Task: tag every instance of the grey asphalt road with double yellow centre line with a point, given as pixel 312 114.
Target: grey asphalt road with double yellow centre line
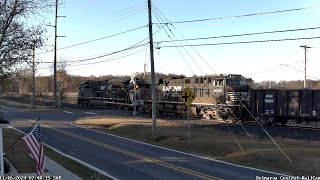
pixel 123 158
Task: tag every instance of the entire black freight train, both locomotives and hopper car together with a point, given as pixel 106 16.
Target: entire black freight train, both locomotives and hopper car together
pixel 222 96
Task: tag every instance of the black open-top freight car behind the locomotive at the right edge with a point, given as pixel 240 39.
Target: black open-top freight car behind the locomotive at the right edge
pixel 278 106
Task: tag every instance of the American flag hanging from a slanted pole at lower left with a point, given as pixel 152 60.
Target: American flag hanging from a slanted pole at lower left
pixel 34 143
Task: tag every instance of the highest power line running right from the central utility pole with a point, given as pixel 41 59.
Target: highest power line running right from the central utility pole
pixel 244 15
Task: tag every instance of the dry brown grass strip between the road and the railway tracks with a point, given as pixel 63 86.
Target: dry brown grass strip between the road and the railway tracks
pixel 217 144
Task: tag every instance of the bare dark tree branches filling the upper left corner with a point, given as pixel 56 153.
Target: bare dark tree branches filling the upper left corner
pixel 17 39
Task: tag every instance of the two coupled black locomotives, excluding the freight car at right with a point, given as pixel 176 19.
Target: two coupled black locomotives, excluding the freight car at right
pixel 215 95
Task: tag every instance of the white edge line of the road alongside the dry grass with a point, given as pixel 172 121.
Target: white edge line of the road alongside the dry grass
pixel 207 158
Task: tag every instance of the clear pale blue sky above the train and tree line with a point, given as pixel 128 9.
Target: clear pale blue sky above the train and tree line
pixel 88 20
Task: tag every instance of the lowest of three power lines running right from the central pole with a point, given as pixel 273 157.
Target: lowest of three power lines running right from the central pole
pixel 245 42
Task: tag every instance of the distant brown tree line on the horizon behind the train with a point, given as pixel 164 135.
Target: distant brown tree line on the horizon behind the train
pixel 20 82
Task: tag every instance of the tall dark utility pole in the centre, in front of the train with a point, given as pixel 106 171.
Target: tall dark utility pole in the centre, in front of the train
pixel 153 83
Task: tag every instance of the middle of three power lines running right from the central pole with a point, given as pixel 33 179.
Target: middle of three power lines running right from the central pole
pixel 245 34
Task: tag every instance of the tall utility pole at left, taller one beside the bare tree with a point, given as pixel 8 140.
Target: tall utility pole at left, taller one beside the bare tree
pixel 55 57
